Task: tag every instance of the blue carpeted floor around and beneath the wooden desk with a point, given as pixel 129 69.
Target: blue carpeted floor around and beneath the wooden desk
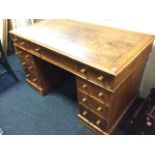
pixel 23 111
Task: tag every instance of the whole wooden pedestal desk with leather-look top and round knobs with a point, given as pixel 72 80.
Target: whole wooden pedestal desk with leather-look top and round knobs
pixel 108 64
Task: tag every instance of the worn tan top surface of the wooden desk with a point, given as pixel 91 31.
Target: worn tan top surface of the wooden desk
pixel 105 48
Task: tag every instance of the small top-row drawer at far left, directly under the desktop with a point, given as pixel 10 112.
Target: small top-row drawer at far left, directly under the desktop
pixel 20 43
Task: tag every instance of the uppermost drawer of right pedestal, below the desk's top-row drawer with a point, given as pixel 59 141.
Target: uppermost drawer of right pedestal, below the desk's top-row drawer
pixel 93 90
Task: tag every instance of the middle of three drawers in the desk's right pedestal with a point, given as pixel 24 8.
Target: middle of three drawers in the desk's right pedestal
pixel 93 104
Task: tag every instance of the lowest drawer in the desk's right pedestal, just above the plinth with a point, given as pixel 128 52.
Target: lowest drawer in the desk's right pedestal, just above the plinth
pixel 93 118
